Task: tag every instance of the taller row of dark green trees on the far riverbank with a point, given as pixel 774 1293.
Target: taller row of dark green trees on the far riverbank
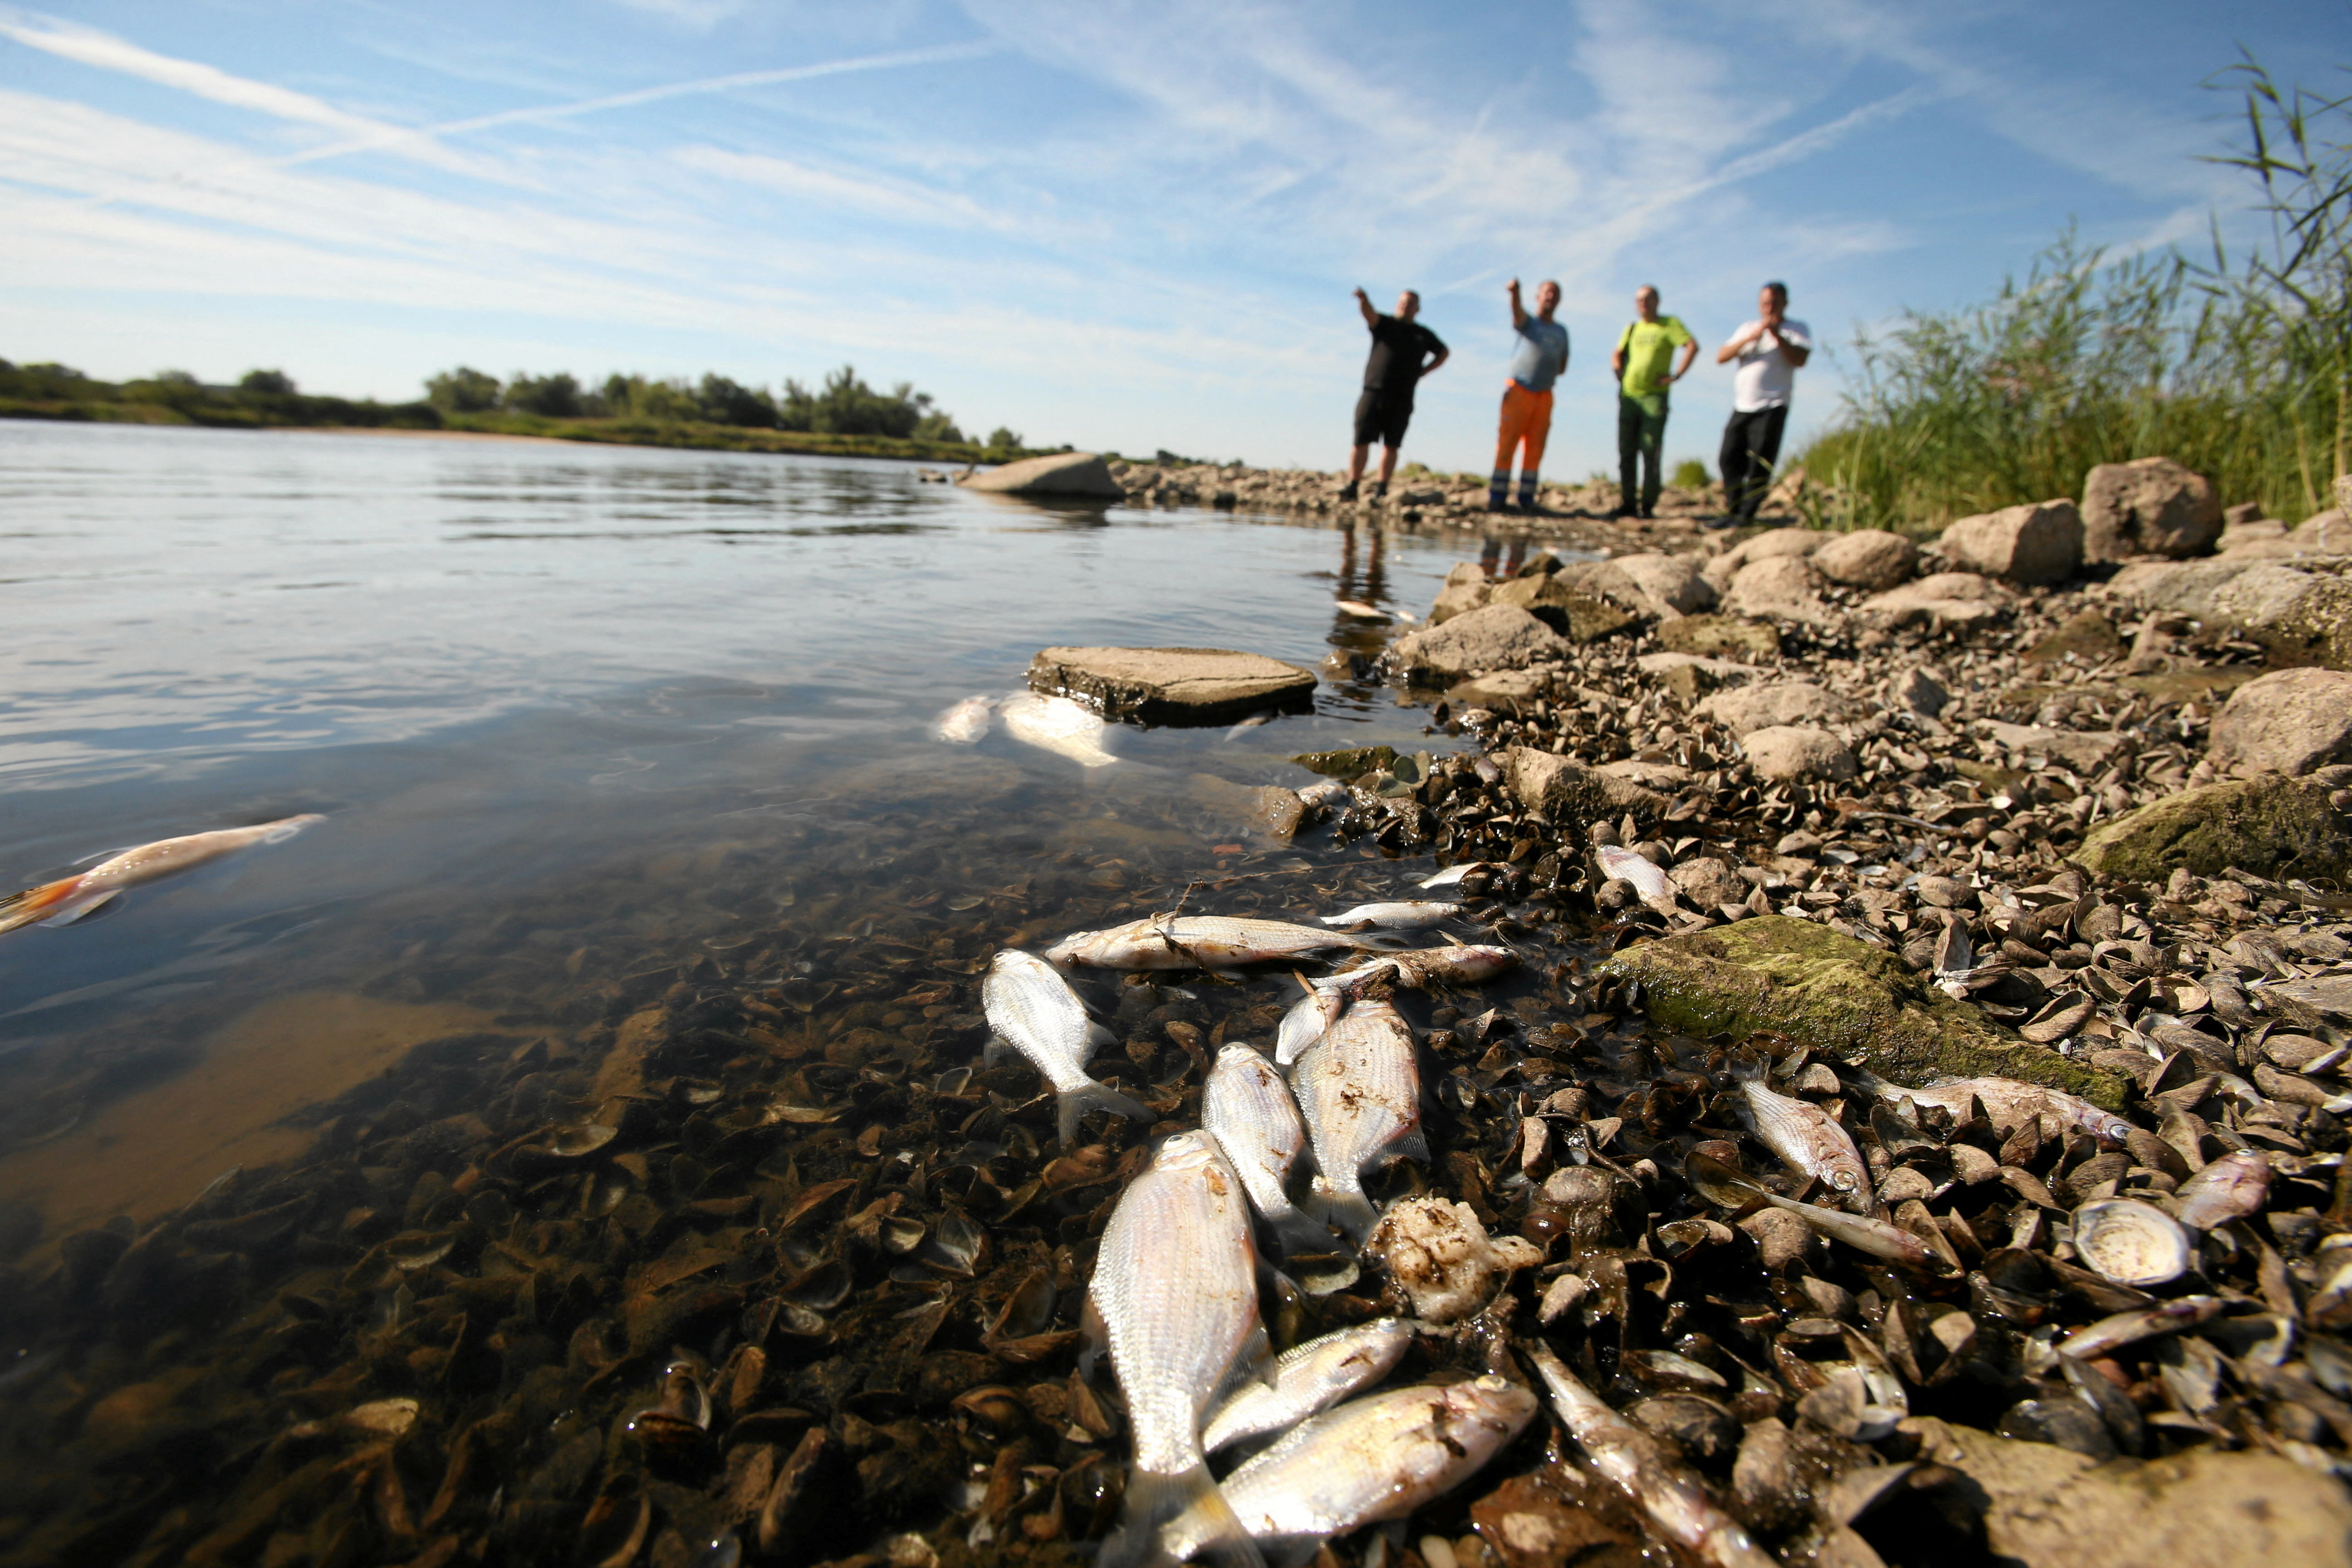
pixel 841 406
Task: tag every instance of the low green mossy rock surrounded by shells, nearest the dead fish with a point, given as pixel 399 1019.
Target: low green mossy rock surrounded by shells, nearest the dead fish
pixel 1843 998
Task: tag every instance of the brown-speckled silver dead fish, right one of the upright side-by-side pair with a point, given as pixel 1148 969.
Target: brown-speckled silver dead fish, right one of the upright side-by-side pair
pixel 1361 1092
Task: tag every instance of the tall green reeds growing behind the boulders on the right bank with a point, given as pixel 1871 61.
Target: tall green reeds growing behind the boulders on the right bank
pixel 2233 366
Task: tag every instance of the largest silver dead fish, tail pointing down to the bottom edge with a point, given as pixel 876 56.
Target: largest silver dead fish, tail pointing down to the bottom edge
pixel 1175 1296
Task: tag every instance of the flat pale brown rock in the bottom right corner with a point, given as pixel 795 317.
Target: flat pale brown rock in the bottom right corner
pixel 2203 1508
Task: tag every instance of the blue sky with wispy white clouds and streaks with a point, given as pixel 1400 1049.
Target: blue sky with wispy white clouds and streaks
pixel 1107 225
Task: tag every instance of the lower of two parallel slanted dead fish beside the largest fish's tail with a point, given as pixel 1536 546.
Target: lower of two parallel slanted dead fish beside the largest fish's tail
pixel 1368 1461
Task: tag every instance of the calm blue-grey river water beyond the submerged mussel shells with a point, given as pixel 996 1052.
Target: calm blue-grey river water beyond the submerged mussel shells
pixel 566 711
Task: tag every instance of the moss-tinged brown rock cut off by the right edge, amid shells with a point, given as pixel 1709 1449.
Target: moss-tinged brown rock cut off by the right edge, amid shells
pixel 2266 826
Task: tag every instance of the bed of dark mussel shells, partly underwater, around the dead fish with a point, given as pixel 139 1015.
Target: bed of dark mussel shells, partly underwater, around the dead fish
pixel 749 1257
